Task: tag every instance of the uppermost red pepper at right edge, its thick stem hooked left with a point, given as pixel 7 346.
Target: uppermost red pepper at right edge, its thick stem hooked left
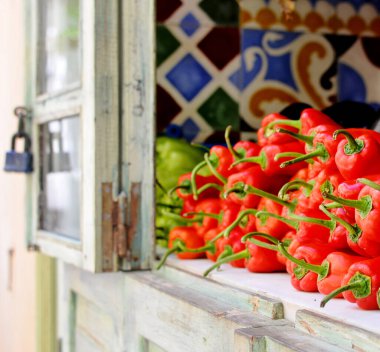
pixel 355 155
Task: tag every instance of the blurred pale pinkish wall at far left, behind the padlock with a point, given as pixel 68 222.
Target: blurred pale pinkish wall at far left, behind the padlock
pixel 17 266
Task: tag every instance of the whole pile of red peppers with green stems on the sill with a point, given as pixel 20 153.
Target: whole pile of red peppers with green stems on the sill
pixel 304 199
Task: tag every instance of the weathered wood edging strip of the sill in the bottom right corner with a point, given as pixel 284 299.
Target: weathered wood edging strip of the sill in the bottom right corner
pixel 337 333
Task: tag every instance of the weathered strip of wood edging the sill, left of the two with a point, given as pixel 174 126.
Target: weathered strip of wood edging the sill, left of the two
pixel 241 299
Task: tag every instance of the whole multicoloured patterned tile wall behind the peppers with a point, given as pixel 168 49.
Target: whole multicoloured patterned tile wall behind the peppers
pixel 218 64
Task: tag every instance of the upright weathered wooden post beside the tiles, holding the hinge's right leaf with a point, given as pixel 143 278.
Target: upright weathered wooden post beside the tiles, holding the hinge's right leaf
pixel 138 126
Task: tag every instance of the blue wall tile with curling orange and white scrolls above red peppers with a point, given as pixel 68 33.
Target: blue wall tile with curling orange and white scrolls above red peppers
pixel 280 68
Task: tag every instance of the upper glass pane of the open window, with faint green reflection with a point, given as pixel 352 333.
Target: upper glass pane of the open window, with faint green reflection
pixel 59 45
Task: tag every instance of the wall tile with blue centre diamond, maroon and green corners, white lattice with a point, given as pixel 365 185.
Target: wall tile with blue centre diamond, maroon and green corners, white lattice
pixel 194 80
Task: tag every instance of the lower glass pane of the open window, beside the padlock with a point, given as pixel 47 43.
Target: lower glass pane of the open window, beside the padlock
pixel 60 170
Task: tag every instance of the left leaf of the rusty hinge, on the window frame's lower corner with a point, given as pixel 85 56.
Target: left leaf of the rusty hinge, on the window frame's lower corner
pixel 114 228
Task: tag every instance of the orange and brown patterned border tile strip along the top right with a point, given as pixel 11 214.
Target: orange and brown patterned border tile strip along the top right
pixel 359 17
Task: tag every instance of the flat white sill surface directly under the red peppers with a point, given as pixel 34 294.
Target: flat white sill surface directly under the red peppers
pixel 276 286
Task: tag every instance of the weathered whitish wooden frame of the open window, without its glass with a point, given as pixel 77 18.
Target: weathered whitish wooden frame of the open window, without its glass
pixel 96 101
